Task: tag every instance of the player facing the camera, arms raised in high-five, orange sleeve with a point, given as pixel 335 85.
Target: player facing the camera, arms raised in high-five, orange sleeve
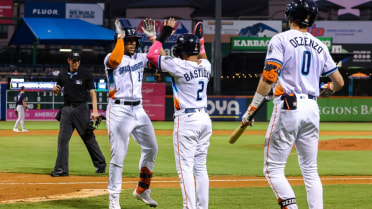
pixel 125 115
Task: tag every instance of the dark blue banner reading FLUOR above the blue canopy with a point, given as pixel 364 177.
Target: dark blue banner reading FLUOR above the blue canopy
pixel 45 9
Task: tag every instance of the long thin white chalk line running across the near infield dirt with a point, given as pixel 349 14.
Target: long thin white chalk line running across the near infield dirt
pixel 176 181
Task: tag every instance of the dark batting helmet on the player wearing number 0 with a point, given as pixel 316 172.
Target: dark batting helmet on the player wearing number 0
pixel 302 11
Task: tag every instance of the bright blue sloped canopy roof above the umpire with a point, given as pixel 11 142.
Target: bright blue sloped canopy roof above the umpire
pixel 36 31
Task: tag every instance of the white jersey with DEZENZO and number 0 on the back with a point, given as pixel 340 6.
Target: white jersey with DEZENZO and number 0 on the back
pixel 303 58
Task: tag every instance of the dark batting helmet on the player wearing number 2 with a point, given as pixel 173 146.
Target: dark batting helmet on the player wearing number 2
pixel 187 44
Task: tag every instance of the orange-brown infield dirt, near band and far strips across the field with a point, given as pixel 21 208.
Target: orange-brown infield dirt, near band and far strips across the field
pixel 35 187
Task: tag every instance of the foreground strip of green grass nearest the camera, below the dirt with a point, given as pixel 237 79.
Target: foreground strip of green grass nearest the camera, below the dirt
pixel 335 197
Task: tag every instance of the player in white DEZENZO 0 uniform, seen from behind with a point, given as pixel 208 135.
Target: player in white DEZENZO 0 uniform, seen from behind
pixel 294 62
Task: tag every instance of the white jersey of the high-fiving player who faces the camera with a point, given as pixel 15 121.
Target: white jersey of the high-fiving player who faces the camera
pixel 125 81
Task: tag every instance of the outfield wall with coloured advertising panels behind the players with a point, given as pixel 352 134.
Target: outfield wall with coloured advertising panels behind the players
pixel 43 105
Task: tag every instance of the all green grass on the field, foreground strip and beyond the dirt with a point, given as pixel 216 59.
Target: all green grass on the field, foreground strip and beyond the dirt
pixel 37 154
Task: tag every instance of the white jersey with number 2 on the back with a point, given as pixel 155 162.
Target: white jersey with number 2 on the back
pixel 189 81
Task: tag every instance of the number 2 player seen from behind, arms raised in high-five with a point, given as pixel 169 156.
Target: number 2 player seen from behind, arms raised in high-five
pixel 190 73
